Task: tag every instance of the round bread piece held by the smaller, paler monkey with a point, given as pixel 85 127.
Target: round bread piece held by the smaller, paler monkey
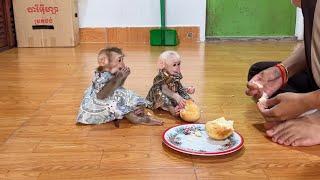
pixel 191 112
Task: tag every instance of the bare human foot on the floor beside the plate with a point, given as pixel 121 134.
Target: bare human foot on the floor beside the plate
pixel 303 131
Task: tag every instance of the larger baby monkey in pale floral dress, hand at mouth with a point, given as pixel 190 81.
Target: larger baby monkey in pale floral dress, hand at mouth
pixel 106 99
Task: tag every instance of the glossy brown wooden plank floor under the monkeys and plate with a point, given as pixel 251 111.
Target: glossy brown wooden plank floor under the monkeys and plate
pixel 40 92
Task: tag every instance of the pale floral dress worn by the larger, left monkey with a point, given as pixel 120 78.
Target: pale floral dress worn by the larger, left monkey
pixel 116 106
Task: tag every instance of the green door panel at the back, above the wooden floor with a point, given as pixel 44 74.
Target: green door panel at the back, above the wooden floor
pixel 246 18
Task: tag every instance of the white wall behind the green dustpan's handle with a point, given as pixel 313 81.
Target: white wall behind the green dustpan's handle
pixel 142 13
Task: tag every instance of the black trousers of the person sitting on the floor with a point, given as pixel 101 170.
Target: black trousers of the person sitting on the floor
pixel 302 82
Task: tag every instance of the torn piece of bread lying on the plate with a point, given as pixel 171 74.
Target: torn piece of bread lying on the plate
pixel 219 129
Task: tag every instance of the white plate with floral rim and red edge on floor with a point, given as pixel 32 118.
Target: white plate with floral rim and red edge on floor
pixel 193 139
